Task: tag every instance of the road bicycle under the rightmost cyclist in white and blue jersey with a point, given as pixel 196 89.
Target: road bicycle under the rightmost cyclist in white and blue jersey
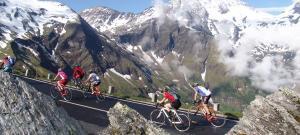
pixel 198 111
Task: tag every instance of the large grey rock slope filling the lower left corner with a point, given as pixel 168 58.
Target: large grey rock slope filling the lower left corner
pixel 24 110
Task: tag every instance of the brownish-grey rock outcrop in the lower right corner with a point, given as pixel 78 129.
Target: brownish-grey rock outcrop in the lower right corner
pixel 278 113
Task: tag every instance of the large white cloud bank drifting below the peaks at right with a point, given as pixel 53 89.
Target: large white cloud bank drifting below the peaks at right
pixel 275 68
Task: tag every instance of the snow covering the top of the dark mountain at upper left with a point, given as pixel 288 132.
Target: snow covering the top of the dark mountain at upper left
pixel 23 16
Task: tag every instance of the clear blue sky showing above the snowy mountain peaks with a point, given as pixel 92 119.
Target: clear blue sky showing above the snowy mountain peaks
pixel 272 6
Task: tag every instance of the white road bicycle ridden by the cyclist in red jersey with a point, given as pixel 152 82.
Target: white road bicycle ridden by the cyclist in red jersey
pixel 180 121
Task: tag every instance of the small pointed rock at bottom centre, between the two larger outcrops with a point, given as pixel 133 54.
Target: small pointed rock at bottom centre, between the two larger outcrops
pixel 124 120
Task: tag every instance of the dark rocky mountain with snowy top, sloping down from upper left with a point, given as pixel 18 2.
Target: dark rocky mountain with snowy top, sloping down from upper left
pixel 45 35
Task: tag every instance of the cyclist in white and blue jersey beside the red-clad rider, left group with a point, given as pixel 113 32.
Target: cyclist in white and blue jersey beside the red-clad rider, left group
pixel 94 81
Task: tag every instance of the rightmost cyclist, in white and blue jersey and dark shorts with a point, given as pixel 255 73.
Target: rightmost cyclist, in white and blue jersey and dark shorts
pixel 205 94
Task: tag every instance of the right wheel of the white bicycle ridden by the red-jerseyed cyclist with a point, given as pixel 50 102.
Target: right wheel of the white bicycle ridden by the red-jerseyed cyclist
pixel 181 122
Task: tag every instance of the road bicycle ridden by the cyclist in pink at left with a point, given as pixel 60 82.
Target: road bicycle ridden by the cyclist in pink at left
pixel 66 94
